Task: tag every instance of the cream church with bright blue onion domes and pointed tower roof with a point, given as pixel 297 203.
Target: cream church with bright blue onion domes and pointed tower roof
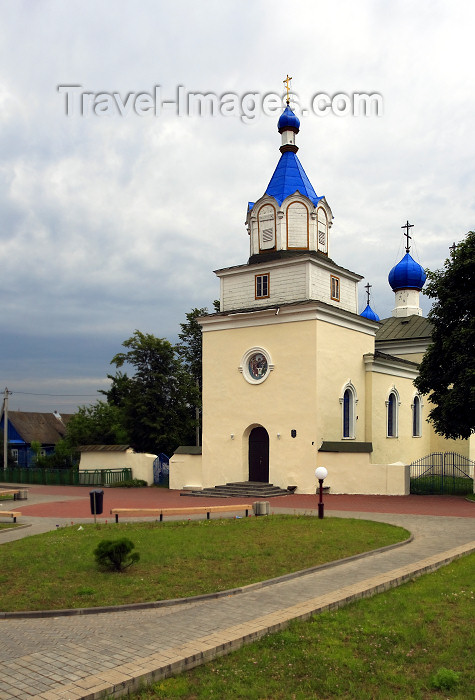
pixel 294 377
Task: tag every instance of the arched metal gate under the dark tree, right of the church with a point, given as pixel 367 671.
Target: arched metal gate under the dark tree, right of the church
pixel 442 473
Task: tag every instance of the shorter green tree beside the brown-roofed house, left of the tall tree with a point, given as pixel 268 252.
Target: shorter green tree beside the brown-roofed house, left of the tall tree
pixel 100 424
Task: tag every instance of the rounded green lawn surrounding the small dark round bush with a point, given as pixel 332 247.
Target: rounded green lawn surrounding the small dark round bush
pixel 177 559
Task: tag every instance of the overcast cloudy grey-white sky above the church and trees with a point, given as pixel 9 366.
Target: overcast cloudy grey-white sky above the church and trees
pixel 111 223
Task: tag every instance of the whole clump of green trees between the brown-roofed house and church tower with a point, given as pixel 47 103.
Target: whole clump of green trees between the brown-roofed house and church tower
pixel 156 405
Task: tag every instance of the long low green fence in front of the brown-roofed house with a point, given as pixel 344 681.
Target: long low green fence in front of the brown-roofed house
pixel 65 477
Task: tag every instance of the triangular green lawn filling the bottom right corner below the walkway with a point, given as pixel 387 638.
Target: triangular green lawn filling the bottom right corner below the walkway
pixel 413 642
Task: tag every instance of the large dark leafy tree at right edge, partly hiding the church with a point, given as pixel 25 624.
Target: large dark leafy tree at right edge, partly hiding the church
pixel 447 371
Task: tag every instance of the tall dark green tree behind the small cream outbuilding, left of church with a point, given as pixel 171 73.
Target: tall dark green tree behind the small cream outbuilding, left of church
pixel 157 401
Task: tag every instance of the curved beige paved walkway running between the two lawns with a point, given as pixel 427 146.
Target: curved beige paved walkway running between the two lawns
pixel 88 656
